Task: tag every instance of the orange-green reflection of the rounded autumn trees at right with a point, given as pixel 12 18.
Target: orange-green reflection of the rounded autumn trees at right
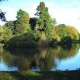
pixel 67 53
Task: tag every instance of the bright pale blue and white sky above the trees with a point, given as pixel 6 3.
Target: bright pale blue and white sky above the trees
pixel 64 11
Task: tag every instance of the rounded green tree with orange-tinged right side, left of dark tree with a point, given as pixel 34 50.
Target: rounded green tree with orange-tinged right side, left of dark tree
pixel 22 22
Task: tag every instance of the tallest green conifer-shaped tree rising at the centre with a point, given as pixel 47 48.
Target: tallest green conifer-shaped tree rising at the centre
pixel 44 23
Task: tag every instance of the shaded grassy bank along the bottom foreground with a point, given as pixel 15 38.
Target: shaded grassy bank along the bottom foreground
pixel 50 75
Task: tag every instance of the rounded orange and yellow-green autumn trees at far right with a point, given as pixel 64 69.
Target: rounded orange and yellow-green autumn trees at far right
pixel 64 31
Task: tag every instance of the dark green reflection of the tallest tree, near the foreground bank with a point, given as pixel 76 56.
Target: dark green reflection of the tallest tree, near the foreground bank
pixel 47 63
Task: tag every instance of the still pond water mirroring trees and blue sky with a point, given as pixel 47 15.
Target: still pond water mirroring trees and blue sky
pixel 40 59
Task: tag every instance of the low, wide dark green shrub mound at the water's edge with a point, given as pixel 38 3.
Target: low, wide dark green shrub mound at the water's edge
pixel 27 40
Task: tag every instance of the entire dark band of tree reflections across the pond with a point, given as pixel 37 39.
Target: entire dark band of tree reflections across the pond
pixel 44 59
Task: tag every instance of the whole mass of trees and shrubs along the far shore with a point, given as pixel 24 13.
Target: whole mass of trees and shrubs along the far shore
pixel 40 31
